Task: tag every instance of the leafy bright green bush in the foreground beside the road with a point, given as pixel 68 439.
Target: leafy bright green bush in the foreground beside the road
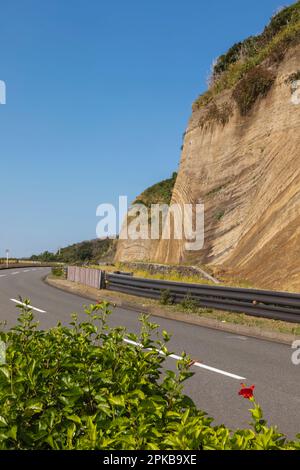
pixel 84 387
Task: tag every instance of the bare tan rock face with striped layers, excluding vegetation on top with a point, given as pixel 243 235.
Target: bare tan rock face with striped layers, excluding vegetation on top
pixel 247 172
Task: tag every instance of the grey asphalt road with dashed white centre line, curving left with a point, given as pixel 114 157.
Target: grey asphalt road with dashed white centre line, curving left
pixel 227 359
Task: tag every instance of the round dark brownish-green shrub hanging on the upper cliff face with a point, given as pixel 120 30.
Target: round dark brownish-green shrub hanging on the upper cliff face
pixel 256 83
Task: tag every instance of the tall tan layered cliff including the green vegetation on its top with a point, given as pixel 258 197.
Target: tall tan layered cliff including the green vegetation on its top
pixel 241 158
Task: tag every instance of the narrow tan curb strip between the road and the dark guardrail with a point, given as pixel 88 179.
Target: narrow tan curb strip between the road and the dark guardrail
pixel 241 330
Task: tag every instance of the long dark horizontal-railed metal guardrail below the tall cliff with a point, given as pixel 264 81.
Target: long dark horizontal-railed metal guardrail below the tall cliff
pixel 258 303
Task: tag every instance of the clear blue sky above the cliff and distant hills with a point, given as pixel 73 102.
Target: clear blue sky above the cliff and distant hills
pixel 98 96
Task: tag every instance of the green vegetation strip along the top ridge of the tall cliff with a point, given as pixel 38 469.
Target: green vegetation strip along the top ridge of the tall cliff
pixel 268 48
